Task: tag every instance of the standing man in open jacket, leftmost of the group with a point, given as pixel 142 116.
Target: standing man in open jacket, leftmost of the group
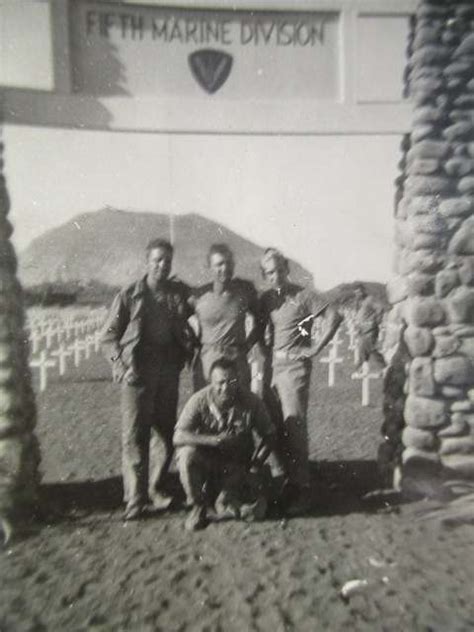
pixel 146 338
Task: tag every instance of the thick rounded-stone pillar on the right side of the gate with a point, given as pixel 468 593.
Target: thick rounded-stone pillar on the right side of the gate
pixel 432 294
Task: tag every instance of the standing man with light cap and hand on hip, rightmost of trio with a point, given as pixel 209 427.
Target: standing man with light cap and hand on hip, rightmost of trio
pixel 287 312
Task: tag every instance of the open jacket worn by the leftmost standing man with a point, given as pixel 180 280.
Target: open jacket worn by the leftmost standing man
pixel 123 329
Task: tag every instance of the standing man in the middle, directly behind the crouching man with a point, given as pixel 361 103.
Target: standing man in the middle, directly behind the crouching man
pixel 224 308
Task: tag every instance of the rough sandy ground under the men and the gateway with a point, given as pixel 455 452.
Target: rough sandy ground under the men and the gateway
pixel 83 568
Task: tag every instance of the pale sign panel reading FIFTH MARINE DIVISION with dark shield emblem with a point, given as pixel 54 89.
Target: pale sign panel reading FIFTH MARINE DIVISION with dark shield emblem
pixel 151 51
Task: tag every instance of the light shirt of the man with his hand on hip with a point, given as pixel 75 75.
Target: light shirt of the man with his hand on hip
pixel 290 316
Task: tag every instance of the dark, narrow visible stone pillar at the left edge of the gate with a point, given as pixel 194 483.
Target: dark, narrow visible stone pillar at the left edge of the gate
pixel 19 450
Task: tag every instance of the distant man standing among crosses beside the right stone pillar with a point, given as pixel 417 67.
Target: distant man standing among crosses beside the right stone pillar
pixel 367 324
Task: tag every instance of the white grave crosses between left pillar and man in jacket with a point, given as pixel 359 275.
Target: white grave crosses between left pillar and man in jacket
pixel 50 326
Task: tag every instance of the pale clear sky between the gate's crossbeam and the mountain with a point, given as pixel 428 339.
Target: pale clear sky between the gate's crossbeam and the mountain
pixel 326 201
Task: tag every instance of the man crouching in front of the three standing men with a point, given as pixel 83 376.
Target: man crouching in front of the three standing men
pixel 215 441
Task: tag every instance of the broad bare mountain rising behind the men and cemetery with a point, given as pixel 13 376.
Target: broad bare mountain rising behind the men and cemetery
pixel 108 246
